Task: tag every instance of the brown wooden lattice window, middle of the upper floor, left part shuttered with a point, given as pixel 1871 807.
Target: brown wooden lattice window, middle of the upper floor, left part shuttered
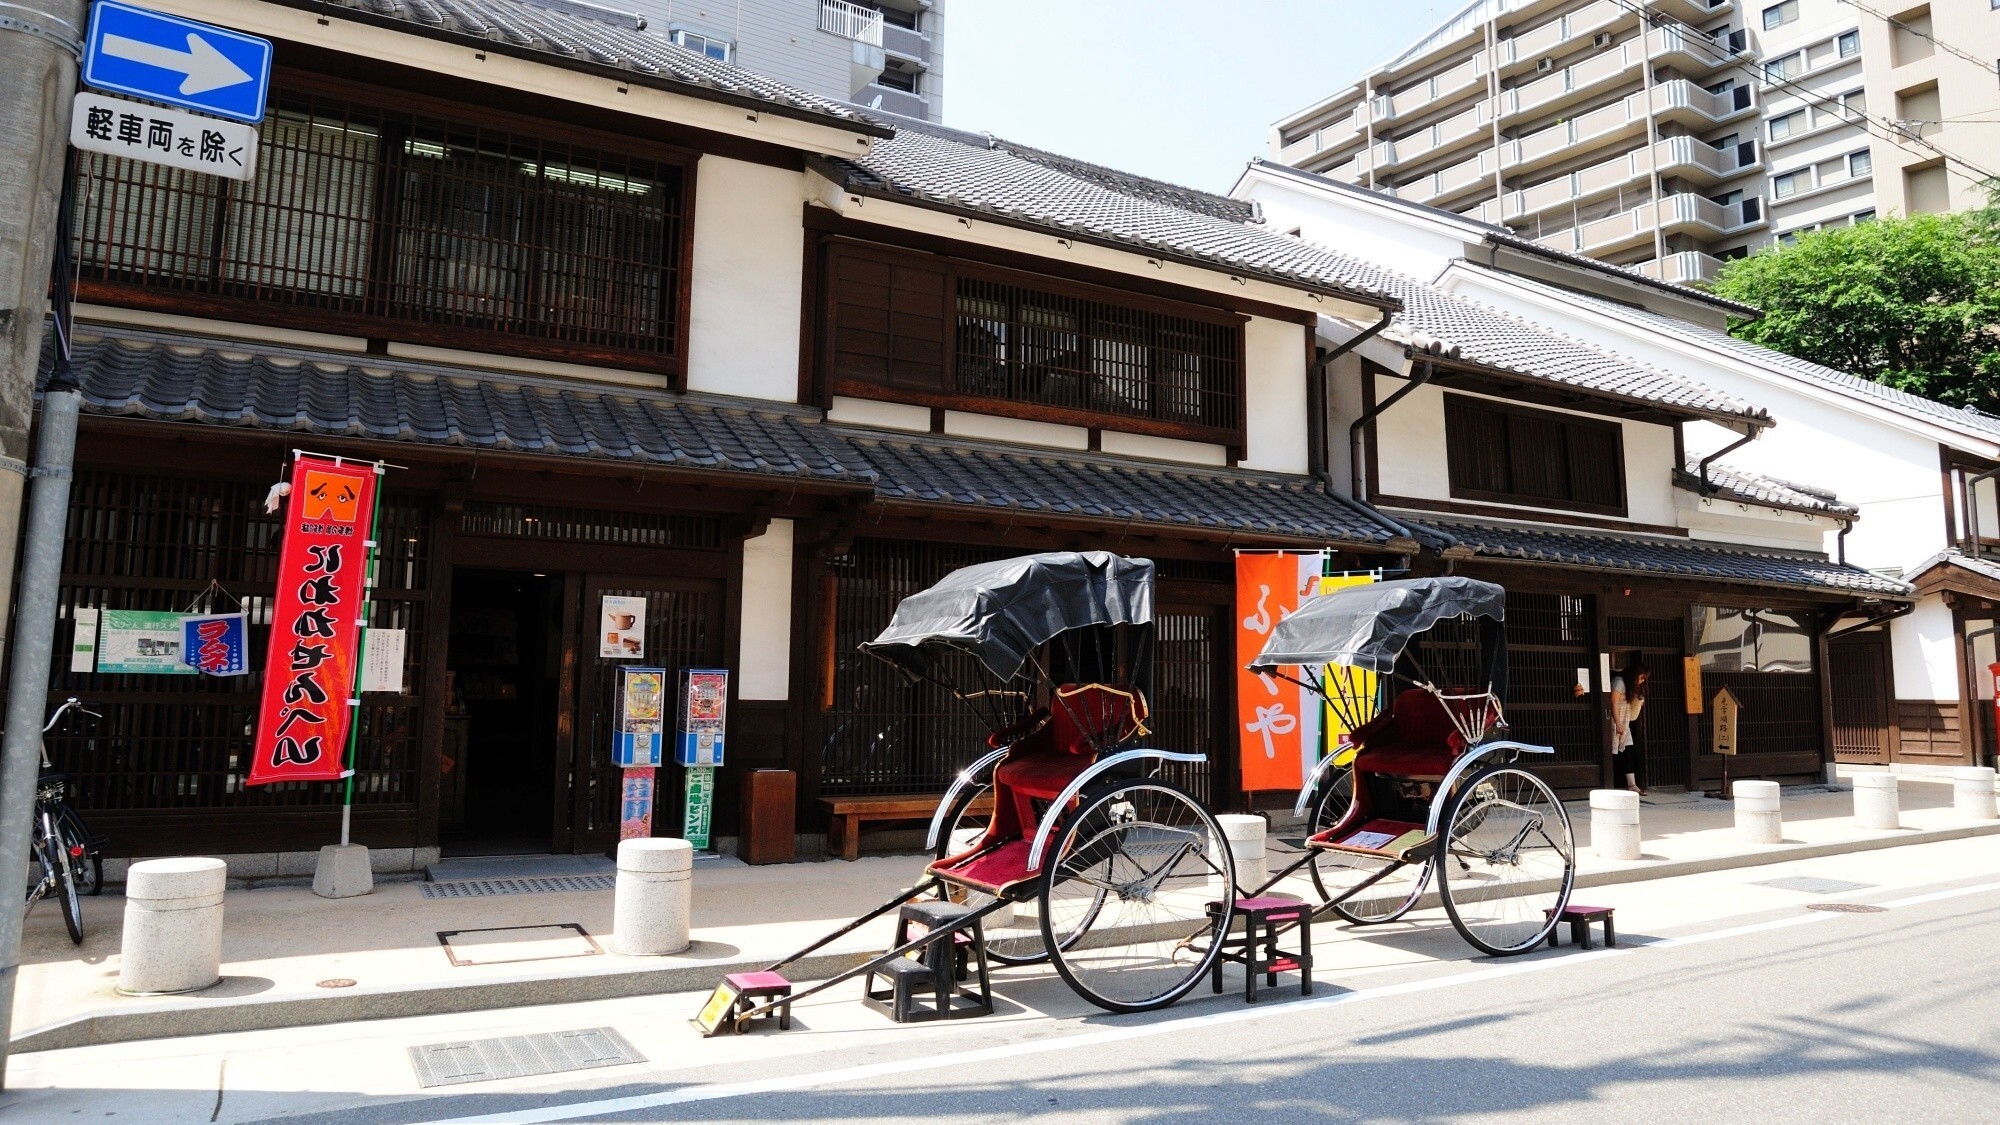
pixel 945 333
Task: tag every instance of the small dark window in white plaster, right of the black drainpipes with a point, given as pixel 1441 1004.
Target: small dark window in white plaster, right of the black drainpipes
pixel 1515 455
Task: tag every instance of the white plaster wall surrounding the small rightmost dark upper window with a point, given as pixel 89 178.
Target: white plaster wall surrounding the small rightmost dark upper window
pixel 1411 455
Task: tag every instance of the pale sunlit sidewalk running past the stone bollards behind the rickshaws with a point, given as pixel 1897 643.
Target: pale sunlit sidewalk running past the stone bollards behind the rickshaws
pixel 297 960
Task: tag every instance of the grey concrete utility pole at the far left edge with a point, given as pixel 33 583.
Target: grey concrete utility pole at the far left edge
pixel 39 49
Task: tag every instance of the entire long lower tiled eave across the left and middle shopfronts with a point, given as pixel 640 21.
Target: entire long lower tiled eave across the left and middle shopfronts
pixel 221 383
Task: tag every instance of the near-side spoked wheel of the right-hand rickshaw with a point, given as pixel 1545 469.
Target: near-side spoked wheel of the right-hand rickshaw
pixel 1507 860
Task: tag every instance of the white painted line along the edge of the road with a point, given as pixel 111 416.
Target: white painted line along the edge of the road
pixel 1063 1044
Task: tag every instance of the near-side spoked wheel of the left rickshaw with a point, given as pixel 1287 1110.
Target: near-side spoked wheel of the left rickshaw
pixel 1127 890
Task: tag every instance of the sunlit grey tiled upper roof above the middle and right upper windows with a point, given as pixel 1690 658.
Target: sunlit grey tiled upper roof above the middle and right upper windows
pixel 1027 185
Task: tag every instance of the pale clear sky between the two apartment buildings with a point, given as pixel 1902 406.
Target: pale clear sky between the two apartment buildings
pixel 1181 91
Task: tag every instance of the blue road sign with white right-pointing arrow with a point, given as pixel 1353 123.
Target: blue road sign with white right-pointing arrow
pixel 181 63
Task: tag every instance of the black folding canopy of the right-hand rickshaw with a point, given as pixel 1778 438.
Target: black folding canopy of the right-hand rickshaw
pixel 1371 626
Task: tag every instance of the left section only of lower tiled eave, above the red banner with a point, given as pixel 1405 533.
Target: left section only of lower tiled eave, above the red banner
pixel 385 399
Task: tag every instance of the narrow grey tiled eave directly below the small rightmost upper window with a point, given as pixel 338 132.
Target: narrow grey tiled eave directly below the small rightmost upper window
pixel 1665 555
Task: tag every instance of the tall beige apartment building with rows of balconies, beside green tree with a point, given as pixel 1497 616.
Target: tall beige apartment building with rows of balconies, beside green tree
pixel 1671 135
